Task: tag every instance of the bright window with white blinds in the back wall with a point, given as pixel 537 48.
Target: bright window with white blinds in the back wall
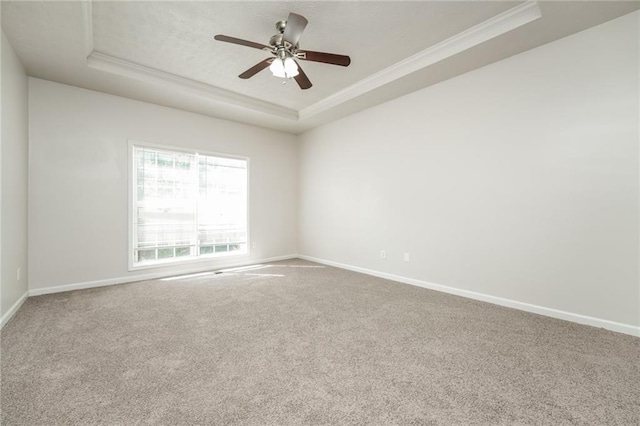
pixel 186 205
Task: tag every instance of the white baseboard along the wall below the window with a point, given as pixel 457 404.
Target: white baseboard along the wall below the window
pixel 151 276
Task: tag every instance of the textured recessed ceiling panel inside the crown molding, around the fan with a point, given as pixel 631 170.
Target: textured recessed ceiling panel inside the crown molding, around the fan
pixel 177 37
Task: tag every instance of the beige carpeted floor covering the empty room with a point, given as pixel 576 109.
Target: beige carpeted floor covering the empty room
pixel 295 342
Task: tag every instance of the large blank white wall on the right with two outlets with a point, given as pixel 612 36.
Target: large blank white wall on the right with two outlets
pixel 518 180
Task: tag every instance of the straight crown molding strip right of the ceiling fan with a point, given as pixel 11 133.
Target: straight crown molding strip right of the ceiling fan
pixel 491 28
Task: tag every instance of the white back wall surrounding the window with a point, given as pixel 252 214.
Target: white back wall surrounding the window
pixel 78 181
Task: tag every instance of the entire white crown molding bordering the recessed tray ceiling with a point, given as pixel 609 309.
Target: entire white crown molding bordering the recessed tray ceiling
pixel 493 27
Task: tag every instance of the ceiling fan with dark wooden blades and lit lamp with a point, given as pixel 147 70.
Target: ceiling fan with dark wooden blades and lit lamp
pixel 284 46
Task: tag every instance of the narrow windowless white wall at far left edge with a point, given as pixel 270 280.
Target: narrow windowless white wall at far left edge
pixel 14 163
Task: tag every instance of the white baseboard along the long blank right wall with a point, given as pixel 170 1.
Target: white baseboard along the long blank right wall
pixel 541 310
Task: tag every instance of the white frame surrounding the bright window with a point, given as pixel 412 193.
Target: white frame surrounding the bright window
pixel 131 202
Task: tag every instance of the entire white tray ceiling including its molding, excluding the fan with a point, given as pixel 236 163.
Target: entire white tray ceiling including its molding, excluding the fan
pixel 163 52
